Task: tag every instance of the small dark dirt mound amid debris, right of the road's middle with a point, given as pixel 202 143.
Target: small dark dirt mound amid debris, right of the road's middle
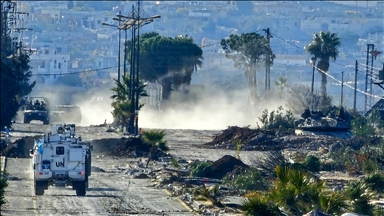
pixel 225 165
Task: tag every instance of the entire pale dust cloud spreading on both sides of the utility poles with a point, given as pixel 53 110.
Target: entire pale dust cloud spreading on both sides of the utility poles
pixel 214 110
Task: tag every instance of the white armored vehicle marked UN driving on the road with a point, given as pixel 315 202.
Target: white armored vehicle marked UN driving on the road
pixel 61 159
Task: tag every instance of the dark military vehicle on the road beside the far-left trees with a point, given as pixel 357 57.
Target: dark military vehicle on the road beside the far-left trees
pixel 36 108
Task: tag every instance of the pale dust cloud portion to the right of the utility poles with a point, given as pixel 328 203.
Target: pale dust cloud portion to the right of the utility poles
pixel 216 111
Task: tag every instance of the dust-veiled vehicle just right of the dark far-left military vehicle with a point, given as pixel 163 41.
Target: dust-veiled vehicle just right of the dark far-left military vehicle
pixel 66 113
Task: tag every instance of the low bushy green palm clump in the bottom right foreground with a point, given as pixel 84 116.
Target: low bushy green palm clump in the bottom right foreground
pixel 296 192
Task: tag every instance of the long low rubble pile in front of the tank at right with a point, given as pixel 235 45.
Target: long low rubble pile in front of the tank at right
pixel 266 140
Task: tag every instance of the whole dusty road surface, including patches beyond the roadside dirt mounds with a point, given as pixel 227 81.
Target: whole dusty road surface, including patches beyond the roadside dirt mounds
pixel 112 191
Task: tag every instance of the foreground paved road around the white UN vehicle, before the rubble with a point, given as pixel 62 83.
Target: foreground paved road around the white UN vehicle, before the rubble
pixel 110 193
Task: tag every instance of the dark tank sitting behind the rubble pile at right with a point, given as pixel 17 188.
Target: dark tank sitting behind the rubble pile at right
pixel 316 121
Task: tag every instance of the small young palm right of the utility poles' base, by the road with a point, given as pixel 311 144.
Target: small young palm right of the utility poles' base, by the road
pixel 156 140
